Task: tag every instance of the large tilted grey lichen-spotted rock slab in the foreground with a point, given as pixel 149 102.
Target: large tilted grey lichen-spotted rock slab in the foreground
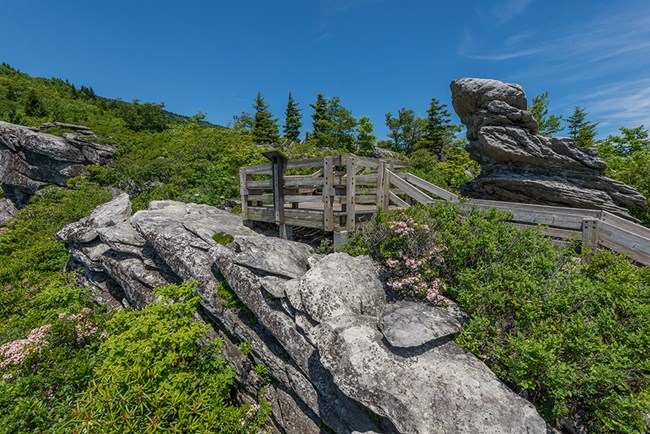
pixel 341 358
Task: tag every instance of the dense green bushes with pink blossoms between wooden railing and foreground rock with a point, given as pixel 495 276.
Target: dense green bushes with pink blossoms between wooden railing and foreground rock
pixel 571 337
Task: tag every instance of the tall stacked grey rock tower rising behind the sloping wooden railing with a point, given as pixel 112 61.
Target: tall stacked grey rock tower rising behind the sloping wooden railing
pixel 518 165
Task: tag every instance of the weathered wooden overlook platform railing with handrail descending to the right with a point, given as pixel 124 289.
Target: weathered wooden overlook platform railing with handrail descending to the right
pixel 339 193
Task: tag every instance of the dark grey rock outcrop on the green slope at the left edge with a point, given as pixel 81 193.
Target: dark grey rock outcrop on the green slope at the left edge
pixel 30 160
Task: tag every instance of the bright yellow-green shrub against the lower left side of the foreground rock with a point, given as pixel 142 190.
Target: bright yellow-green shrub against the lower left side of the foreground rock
pixel 159 374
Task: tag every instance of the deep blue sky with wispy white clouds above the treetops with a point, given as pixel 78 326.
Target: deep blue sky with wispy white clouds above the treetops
pixel 376 55
